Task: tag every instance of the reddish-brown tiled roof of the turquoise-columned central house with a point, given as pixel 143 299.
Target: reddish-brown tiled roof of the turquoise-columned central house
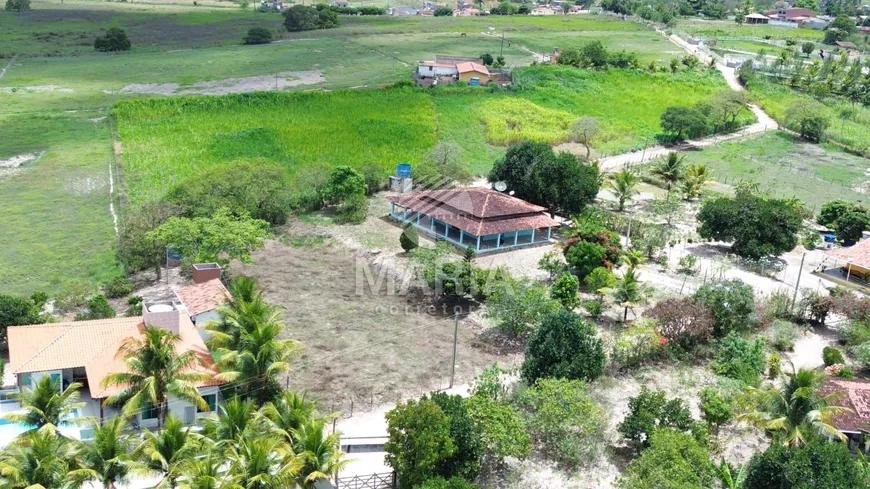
pixel 479 211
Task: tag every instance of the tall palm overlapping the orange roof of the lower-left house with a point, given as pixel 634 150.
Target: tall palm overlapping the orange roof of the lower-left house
pixel 155 369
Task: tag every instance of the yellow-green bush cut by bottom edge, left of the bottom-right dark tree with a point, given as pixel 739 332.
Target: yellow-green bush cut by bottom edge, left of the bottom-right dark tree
pixel 673 460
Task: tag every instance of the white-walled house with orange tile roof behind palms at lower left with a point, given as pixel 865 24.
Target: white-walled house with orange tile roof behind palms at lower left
pixel 87 352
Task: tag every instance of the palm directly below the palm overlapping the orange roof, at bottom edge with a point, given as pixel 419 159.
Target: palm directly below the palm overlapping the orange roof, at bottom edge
pixel 169 450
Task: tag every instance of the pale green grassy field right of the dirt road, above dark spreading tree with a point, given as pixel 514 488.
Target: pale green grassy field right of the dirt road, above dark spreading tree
pixel 788 167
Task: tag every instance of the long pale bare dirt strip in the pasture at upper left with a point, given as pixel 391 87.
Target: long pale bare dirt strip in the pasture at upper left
pixel 280 81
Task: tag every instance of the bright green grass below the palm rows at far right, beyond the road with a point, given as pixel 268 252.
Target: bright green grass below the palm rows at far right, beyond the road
pixel 854 132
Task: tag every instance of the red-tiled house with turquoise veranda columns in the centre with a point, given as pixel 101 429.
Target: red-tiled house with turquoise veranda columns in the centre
pixel 481 218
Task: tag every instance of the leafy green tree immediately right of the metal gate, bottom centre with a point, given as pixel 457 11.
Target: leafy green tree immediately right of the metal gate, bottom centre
pixel 418 441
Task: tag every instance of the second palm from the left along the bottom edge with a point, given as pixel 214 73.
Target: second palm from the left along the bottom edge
pixel 109 458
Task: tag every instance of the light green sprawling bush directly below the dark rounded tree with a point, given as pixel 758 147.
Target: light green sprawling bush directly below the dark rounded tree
pixel 563 419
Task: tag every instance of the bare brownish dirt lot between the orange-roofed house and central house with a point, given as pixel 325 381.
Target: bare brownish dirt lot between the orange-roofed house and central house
pixel 361 347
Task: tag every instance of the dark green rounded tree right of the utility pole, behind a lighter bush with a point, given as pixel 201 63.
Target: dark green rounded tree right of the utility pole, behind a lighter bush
pixel 563 346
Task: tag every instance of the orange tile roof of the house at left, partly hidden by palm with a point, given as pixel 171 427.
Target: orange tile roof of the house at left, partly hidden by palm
pixel 92 345
